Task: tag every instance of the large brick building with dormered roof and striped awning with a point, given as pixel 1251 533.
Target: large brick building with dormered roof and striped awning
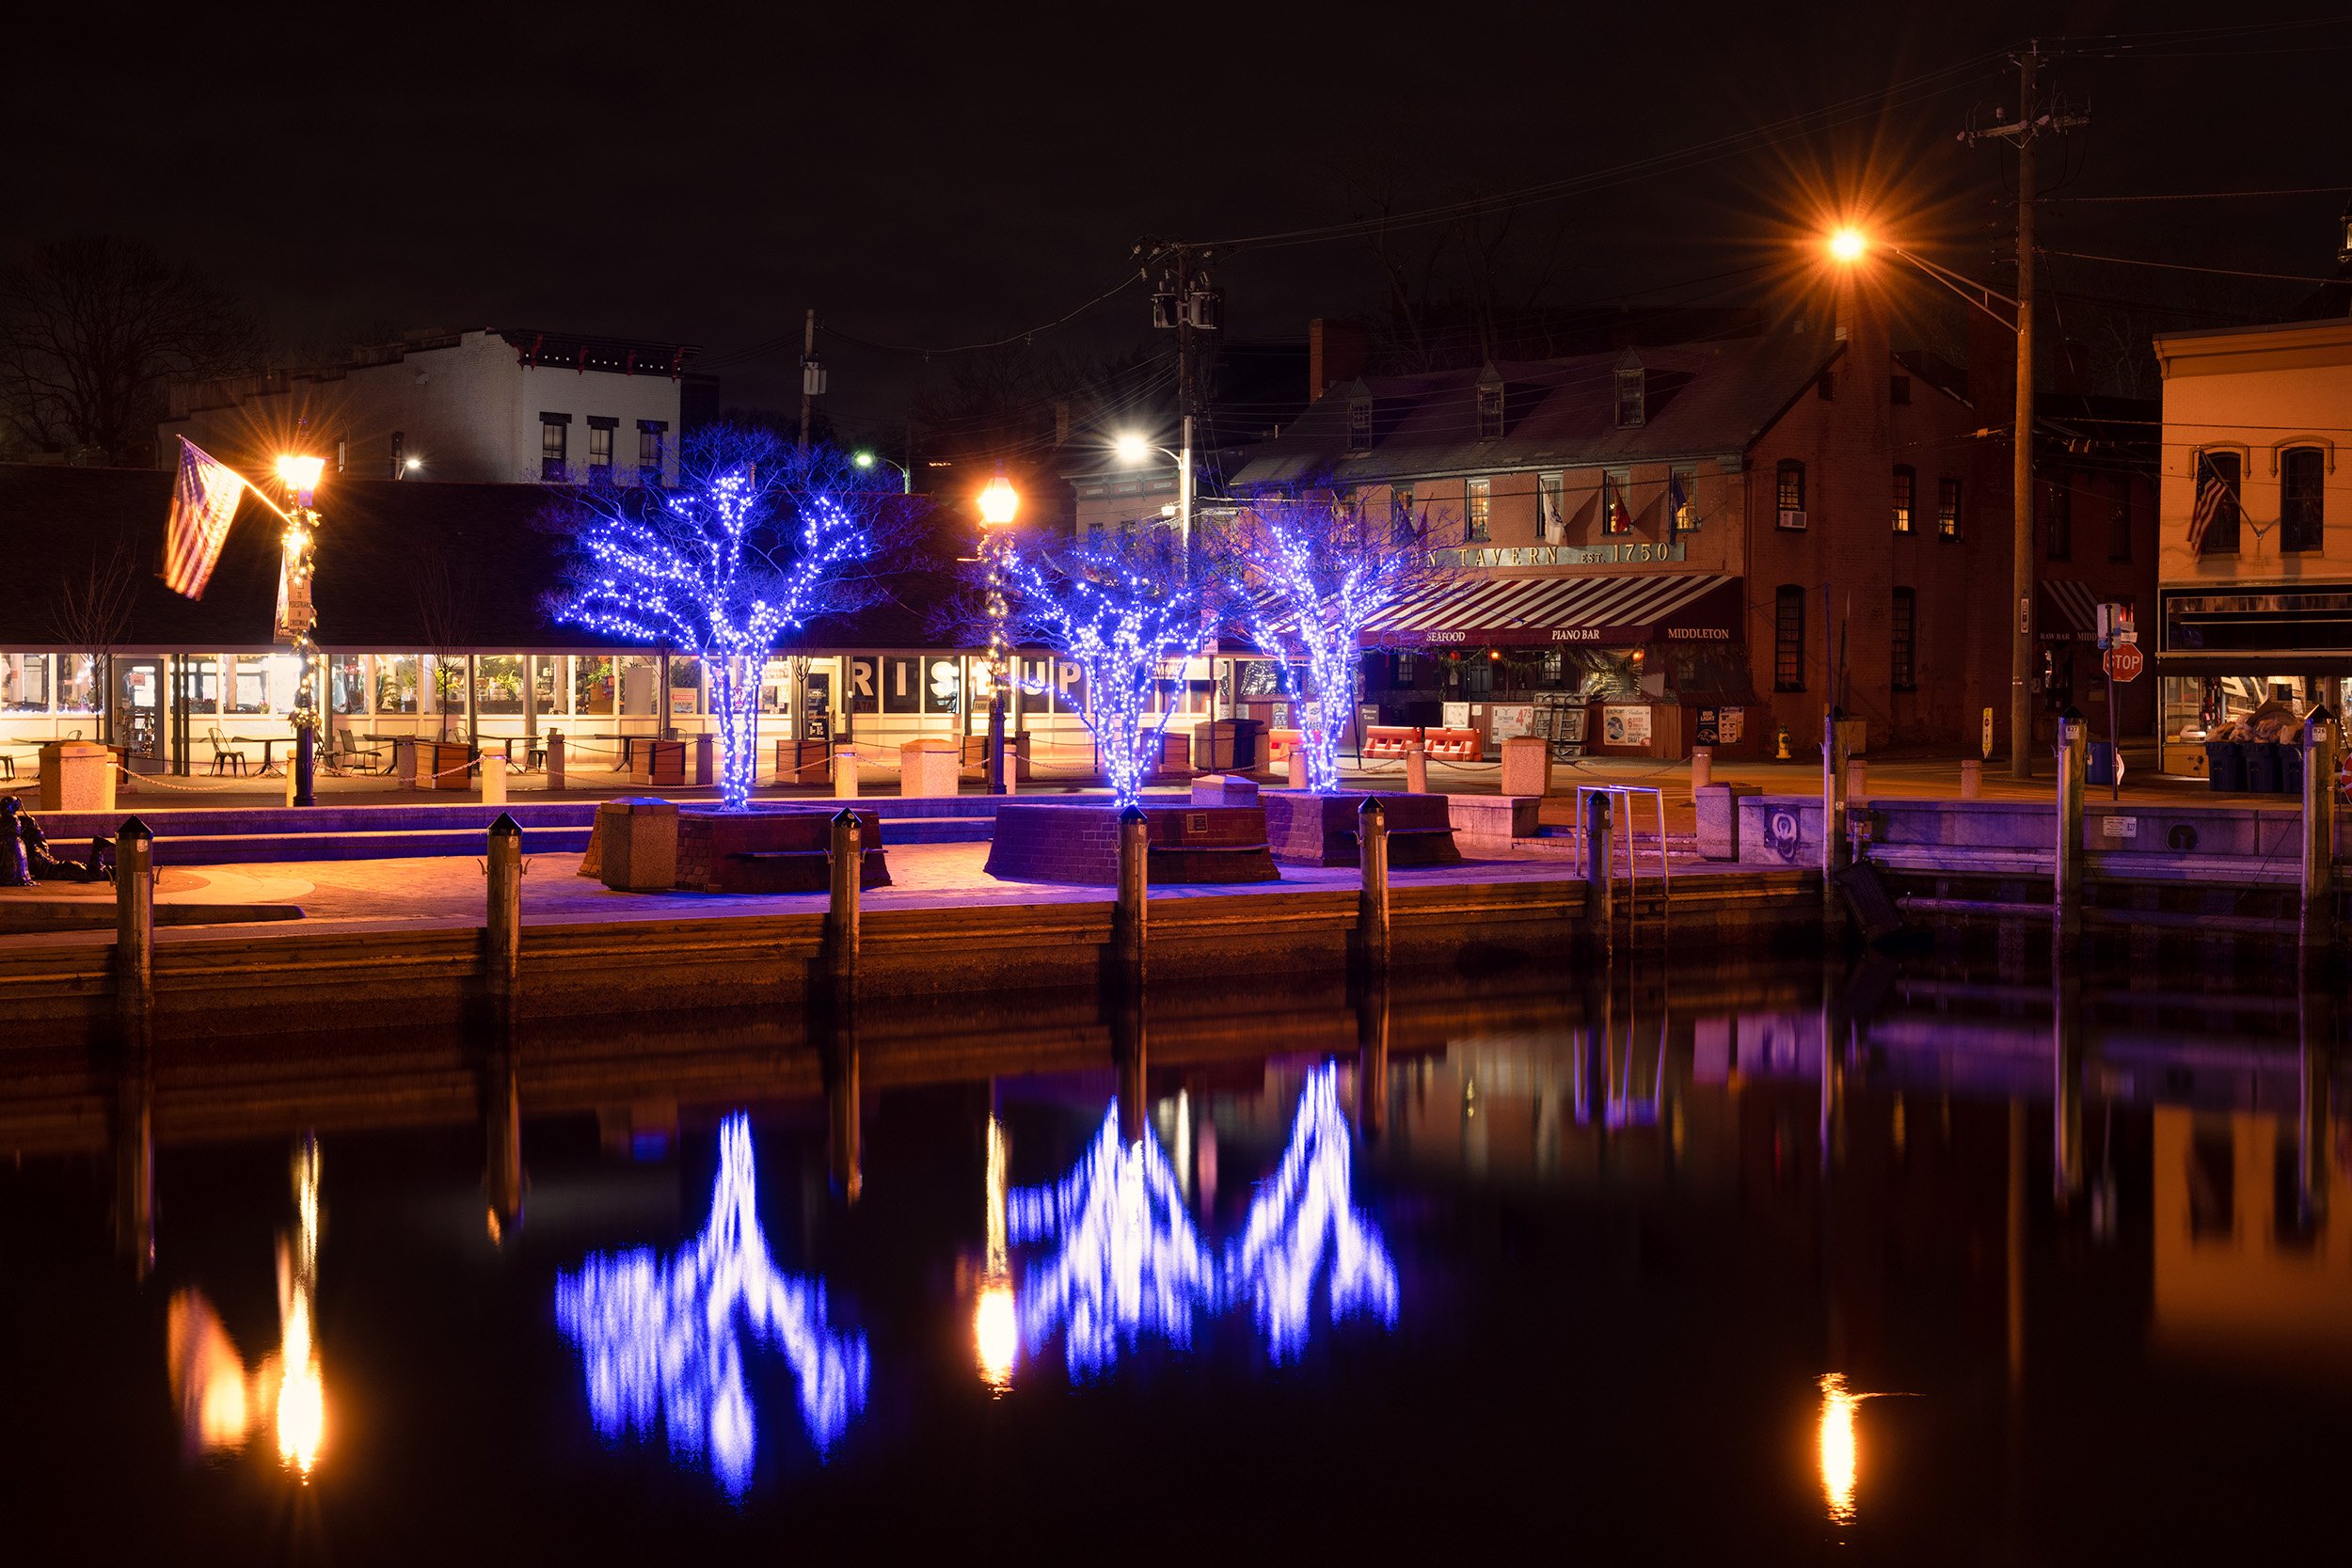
pixel 1706 542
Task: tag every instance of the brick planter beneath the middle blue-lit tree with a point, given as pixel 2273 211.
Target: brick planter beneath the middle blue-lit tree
pixel 1048 843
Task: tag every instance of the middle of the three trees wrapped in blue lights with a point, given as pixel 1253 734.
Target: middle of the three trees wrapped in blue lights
pixel 1130 615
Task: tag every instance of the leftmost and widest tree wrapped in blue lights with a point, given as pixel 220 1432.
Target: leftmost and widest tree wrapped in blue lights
pixel 756 542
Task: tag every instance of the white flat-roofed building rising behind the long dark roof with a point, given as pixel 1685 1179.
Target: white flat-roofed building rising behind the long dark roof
pixel 509 406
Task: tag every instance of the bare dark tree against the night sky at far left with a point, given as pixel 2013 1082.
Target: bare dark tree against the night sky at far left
pixel 91 337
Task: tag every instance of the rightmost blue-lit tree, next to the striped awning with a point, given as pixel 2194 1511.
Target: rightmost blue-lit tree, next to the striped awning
pixel 1311 575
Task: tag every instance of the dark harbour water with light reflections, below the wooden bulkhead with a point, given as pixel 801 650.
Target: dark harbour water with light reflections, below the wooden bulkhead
pixel 2022 1268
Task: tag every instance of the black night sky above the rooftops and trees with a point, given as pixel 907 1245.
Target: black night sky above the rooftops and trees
pixel 935 177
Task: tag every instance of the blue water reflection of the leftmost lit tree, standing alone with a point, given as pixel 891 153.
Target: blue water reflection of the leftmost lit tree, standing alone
pixel 664 1336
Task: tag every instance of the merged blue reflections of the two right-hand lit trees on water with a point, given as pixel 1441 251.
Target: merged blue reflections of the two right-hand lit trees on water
pixel 1132 1266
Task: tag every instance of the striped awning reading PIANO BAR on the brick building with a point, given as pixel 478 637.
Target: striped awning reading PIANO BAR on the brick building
pixel 1617 610
